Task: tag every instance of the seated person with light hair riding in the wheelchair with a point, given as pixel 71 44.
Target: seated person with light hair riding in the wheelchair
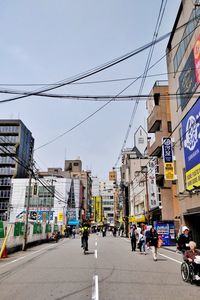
pixel 190 256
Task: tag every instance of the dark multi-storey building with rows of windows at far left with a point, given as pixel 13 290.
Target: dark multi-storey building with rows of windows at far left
pixel 16 142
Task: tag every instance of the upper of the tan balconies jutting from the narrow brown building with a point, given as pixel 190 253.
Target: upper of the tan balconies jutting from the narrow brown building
pixel 154 120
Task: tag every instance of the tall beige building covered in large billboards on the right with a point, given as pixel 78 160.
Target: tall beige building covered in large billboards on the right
pixel 183 61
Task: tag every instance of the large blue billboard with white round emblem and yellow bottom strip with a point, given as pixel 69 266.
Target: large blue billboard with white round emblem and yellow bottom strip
pixel 191 144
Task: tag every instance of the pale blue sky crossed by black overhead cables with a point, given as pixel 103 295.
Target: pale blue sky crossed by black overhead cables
pixel 47 41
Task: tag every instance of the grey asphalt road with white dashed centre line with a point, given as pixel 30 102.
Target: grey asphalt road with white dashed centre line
pixel 110 270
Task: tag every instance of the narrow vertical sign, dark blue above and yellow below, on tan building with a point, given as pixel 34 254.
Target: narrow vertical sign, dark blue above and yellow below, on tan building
pixel 168 158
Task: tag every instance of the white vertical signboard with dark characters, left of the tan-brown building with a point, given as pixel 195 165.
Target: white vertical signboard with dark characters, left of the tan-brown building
pixel 152 188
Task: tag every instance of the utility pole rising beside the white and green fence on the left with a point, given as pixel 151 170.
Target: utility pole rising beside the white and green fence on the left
pixel 27 205
